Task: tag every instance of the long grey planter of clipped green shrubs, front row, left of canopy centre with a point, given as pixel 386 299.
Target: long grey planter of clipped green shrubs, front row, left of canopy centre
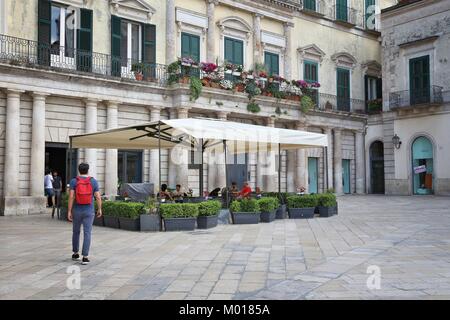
pixel 179 216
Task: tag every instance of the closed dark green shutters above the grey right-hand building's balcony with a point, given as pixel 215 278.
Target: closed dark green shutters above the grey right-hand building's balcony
pixel 419 80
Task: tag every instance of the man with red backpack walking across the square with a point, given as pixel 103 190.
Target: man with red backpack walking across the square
pixel 83 190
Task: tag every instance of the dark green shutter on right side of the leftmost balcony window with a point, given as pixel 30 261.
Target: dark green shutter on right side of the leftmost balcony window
pixel 84 41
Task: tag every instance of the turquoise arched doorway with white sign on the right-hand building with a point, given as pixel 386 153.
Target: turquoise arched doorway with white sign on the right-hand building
pixel 422 162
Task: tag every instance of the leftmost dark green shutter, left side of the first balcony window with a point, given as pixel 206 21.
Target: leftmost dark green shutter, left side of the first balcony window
pixel 44 31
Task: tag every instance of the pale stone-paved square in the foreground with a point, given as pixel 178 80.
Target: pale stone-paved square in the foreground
pixel 408 238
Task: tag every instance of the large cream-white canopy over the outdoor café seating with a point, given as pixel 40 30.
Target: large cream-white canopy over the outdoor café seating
pixel 246 137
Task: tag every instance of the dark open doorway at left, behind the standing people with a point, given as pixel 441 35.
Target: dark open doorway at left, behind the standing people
pixel 57 158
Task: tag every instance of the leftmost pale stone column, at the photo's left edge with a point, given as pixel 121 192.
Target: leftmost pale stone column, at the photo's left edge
pixel 12 145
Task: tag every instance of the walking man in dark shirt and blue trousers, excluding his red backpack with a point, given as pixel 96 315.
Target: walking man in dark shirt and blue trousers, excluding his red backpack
pixel 83 214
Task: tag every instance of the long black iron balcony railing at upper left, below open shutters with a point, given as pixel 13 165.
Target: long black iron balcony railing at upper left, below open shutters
pixel 30 53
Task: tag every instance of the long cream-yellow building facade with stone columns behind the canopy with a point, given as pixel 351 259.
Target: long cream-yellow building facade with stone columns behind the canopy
pixel 67 67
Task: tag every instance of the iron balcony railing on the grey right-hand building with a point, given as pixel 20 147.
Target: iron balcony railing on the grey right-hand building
pixel 427 96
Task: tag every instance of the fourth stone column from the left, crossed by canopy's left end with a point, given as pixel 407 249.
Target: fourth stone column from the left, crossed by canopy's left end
pixel 111 171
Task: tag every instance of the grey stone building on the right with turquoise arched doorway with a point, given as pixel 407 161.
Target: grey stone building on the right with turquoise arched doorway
pixel 416 93
